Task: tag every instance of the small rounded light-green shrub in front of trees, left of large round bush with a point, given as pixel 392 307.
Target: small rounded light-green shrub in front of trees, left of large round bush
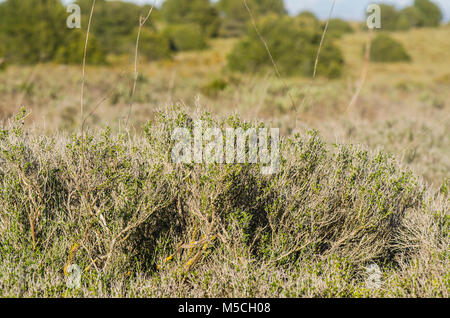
pixel 186 37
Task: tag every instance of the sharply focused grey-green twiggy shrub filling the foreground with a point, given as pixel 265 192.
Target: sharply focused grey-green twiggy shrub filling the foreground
pixel 116 206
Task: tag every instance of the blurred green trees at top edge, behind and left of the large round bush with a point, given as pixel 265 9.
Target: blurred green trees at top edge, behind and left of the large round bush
pixel 236 17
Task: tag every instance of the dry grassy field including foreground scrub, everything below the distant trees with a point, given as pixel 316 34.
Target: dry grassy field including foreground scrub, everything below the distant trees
pixel 370 187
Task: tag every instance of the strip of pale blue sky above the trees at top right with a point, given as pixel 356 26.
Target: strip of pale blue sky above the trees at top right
pixel 347 9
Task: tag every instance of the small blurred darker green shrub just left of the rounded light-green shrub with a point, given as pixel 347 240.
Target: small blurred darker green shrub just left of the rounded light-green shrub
pixel 154 45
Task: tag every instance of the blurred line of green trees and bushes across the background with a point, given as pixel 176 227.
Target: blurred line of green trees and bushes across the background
pixel 33 31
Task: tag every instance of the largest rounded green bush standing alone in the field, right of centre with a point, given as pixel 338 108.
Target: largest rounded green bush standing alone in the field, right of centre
pixel 294 57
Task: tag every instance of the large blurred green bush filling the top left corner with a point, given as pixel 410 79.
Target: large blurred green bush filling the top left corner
pixel 35 31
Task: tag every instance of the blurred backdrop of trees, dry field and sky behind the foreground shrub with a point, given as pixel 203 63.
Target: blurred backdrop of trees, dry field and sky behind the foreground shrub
pixel 387 89
